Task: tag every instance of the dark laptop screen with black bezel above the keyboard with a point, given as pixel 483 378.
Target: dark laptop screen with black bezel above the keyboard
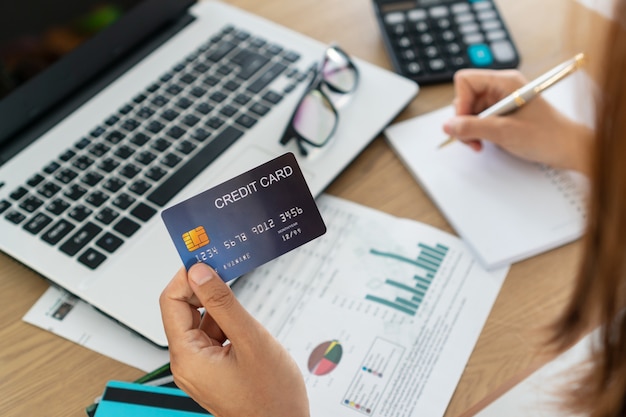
pixel 48 49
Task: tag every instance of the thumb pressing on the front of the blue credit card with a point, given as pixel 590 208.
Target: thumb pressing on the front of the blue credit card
pixel 220 303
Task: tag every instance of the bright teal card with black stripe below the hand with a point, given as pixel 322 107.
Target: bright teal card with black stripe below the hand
pixel 127 399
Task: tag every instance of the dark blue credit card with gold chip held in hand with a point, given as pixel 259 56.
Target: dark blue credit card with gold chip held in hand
pixel 246 221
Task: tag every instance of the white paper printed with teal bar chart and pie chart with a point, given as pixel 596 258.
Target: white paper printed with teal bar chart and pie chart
pixel 381 314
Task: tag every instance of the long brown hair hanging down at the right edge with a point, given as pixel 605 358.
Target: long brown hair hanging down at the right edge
pixel 600 293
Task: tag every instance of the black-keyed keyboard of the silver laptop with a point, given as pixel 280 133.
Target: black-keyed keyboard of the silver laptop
pixel 99 192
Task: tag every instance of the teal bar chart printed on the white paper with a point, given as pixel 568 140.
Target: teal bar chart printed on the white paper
pixel 411 292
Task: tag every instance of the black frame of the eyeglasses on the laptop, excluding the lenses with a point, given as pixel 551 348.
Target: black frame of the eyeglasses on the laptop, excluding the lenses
pixel 316 84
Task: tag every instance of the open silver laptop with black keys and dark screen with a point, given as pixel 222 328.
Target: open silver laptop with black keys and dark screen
pixel 118 111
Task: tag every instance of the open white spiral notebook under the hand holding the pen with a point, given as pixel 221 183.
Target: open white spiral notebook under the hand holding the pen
pixel 506 209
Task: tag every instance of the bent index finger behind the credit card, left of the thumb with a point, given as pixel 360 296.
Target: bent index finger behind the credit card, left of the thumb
pixel 177 313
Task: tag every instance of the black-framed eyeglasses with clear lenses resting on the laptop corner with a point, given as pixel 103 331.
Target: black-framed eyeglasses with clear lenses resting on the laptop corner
pixel 315 119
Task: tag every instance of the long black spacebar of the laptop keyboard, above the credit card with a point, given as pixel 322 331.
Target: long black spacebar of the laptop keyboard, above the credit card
pixel 187 172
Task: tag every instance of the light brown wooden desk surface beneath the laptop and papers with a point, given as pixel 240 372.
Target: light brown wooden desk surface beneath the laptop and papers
pixel 44 375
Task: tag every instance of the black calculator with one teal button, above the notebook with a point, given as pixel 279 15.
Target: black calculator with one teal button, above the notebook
pixel 429 40
